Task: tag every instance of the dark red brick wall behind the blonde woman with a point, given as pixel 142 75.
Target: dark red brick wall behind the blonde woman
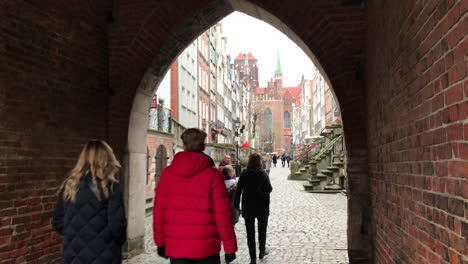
pixel 52 100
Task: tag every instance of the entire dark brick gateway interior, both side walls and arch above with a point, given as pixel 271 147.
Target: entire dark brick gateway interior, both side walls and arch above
pixel 69 72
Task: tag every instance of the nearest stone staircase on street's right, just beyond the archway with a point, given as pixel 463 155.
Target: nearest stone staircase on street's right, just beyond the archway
pixel 325 171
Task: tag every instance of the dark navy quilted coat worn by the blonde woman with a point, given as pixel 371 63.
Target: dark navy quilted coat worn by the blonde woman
pixel 93 231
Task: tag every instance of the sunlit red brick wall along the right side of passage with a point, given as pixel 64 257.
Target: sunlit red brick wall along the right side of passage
pixel 418 131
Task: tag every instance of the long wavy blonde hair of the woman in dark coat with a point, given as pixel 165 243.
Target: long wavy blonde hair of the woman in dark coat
pixel 97 159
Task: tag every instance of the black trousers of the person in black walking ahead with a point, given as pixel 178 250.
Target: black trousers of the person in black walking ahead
pixel 250 227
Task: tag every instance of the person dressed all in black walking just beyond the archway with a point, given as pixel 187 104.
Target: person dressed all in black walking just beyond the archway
pixel 254 186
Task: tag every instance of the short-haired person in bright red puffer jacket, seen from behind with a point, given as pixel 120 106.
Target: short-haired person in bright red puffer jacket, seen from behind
pixel 192 211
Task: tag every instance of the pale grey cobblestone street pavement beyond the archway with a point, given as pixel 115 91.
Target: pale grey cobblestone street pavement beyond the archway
pixel 303 228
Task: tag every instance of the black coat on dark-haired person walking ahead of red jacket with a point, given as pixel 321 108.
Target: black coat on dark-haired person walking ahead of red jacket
pixel 254 186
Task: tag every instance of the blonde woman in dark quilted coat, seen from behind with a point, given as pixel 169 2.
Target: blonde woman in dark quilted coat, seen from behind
pixel 90 212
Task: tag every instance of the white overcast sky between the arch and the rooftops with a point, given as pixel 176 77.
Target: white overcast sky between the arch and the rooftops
pixel 247 34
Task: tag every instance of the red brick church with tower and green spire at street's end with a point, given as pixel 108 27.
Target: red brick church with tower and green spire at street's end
pixel 272 106
